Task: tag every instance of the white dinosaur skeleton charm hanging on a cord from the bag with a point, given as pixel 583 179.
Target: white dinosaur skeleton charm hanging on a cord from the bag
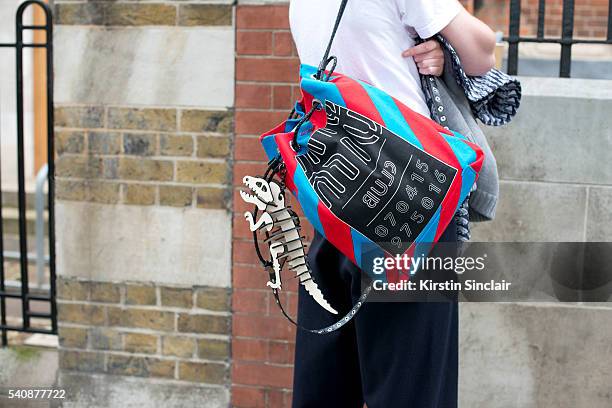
pixel 281 227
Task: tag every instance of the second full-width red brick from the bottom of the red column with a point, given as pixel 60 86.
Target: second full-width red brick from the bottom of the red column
pixel 270 327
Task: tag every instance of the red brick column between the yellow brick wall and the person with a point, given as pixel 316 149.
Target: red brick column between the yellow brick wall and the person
pixel 262 342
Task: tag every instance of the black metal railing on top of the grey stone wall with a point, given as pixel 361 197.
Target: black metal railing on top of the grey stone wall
pixel 566 40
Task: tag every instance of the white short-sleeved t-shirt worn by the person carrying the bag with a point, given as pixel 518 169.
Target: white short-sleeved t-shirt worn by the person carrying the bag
pixel 371 38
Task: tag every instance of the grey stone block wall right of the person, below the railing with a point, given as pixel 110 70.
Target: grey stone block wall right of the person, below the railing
pixel 556 186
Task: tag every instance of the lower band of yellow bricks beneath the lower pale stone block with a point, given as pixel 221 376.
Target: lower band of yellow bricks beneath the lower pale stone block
pixel 144 330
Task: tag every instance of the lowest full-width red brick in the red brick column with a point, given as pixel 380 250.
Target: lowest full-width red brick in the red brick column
pixel 262 374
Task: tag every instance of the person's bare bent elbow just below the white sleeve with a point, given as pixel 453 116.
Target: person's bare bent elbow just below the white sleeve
pixel 474 42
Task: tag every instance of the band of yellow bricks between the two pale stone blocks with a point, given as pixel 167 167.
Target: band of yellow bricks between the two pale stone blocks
pixel 143 156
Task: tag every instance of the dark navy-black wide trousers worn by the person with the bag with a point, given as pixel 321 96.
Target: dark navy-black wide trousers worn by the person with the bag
pixel 390 355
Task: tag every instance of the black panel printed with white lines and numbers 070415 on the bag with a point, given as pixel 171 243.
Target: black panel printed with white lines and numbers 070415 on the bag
pixel 377 182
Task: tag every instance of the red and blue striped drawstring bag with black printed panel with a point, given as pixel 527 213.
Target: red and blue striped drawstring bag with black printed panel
pixel 368 171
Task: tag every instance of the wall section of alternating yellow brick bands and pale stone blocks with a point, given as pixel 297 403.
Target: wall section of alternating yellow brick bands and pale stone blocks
pixel 144 139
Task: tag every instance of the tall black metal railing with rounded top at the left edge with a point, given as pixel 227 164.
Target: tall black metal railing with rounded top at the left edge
pixel 24 294
